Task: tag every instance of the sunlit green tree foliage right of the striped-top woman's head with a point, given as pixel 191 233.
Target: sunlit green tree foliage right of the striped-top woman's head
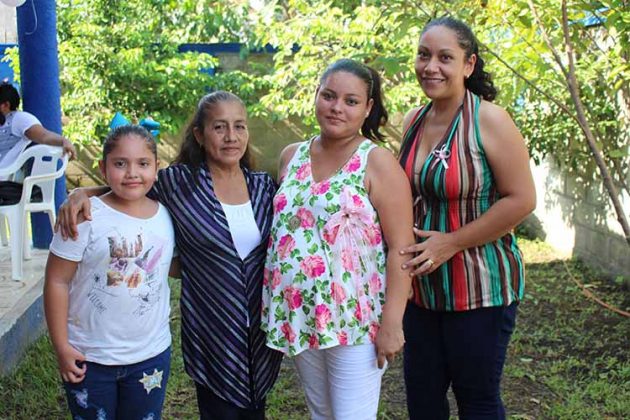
pixel 602 72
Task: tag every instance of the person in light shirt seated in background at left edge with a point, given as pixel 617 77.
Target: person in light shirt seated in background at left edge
pixel 19 128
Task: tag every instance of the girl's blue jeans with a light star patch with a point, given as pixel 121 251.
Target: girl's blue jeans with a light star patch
pixel 123 392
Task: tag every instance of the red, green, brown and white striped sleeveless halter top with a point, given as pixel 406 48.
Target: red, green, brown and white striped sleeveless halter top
pixel 453 187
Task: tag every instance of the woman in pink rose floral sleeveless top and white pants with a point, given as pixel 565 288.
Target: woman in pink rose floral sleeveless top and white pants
pixel 328 274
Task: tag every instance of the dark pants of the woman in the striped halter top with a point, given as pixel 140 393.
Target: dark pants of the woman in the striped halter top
pixel 463 349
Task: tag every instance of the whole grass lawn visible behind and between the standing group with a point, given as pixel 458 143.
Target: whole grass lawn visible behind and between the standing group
pixel 568 359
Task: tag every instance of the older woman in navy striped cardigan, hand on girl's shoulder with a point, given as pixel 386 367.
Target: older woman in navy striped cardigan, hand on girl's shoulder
pixel 222 215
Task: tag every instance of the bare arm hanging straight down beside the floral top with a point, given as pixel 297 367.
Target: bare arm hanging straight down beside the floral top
pixel 390 194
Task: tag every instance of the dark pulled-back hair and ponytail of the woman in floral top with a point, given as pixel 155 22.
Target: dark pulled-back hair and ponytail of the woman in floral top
pixel 377 117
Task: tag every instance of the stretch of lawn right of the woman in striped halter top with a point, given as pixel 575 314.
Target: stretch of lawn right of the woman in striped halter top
pixel 568 354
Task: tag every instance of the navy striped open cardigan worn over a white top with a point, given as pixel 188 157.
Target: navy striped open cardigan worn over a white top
pixel 223 346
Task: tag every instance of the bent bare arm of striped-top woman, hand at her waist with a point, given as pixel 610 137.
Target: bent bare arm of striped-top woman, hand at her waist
pixel 508 158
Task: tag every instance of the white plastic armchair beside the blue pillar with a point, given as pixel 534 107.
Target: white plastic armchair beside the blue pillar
pixel 44 172
